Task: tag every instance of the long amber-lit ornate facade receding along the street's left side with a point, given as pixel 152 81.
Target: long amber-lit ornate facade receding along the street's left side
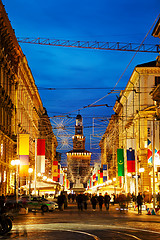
pixel 21 109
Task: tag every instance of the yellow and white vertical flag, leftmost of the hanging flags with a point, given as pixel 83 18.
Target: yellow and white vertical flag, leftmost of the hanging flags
pixel 23 152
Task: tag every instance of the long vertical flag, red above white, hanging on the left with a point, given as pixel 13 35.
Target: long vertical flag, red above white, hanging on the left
pixel 40 155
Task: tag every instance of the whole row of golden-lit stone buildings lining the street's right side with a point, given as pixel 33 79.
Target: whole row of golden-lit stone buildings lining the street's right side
pixel 136 126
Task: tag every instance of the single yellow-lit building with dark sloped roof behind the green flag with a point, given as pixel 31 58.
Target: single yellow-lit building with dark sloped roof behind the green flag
pixel 135 122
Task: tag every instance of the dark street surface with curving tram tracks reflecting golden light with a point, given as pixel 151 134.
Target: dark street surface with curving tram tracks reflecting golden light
pixel 87 224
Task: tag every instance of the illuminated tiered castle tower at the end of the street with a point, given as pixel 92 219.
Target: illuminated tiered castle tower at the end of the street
pixel 78 159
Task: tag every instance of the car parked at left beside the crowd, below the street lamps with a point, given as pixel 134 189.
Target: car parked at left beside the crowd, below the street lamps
pixel 37 203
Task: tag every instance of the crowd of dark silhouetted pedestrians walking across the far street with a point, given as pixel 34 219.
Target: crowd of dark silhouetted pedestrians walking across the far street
pixel 84 199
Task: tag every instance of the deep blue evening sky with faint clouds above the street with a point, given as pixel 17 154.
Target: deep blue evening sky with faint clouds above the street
pixel 82 76
